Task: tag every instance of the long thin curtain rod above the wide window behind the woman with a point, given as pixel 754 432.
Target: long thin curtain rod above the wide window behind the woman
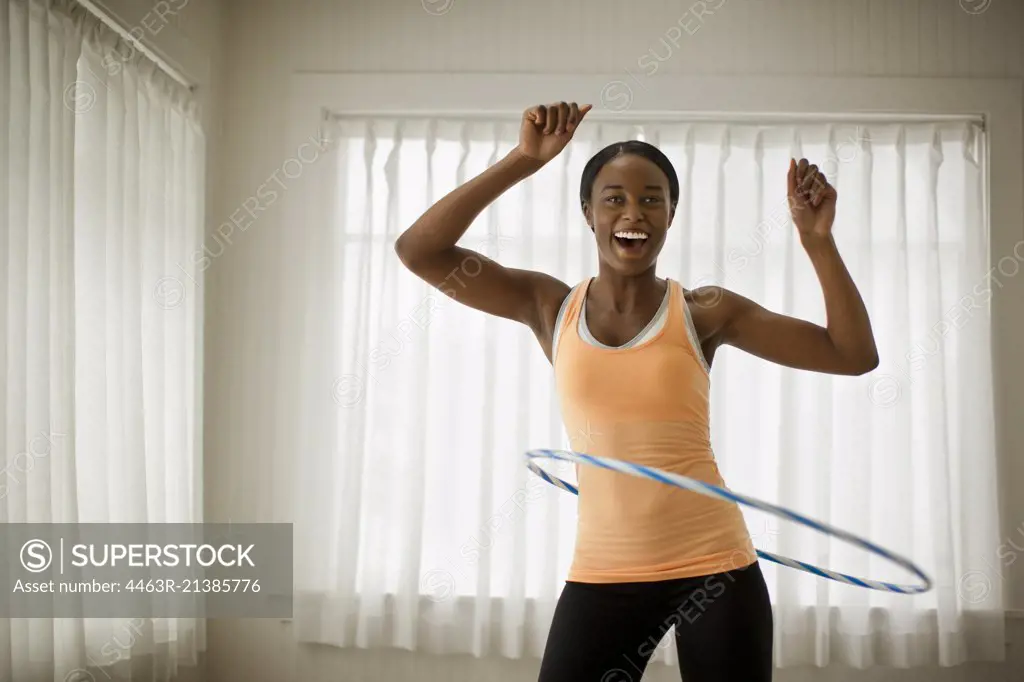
pixel 682 117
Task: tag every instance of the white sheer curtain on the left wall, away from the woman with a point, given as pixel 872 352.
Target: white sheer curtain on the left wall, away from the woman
pixel 101 199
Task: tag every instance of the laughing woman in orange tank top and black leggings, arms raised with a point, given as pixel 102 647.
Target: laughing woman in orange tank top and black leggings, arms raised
pixel 631 355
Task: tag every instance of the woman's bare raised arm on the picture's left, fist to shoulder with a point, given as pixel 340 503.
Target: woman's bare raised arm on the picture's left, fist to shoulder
pixel 429 248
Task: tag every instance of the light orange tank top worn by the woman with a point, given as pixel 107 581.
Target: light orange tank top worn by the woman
pixel 646 403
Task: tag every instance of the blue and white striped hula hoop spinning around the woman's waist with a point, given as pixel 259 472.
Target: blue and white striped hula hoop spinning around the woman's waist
pixel 729 496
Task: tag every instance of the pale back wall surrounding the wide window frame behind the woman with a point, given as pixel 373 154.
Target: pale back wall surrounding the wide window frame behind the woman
pixel 268 40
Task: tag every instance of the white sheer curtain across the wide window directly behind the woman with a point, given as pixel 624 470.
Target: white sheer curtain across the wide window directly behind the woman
pixel 418 525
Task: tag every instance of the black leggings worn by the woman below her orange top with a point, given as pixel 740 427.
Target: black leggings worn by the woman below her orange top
pixel 608 633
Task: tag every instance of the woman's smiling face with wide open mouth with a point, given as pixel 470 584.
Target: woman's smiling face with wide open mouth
pixel 630 211
